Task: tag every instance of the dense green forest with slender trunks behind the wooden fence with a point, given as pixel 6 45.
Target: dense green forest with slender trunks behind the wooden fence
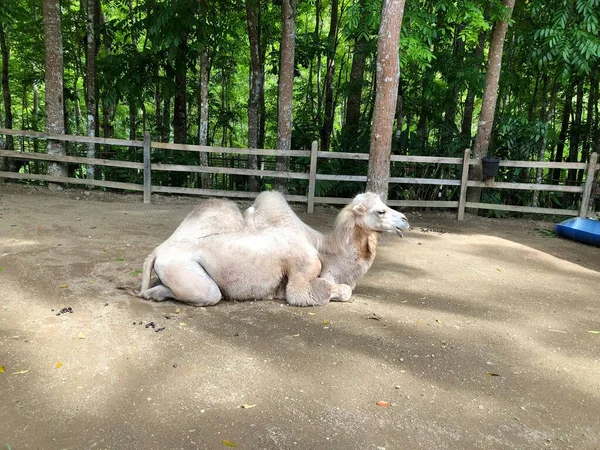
pixel 210 72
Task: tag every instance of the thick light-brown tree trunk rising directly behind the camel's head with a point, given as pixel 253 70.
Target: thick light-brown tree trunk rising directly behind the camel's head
pixel 388 74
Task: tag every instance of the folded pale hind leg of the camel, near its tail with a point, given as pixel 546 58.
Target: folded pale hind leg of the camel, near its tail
pixel 185 281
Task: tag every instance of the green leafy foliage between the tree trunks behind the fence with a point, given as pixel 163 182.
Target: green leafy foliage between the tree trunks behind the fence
pixel 443 52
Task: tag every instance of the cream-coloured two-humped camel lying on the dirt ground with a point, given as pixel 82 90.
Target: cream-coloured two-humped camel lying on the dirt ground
pixel 268 252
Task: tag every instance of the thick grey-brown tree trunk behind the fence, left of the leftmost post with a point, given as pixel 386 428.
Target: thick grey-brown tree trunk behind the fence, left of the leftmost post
pixel 54 85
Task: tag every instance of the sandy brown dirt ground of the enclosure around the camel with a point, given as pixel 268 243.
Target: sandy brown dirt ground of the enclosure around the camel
pixel 481 334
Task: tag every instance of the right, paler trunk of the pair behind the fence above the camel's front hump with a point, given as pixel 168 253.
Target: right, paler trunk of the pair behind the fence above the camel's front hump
pixel 286 87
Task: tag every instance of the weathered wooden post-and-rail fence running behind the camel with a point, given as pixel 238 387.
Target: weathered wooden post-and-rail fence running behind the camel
pixel 586 191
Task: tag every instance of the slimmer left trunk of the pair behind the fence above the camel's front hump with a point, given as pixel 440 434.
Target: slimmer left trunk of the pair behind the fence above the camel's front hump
pixel 257 79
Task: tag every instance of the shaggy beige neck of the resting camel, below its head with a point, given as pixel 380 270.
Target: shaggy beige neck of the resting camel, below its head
pixel 348 252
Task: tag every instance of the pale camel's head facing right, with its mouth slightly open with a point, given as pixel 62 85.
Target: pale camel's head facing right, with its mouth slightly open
pixel 373 215
